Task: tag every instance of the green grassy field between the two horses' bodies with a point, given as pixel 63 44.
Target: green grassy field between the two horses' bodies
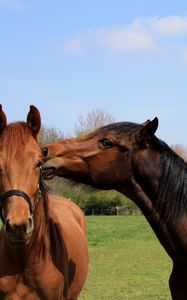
pixel 126 261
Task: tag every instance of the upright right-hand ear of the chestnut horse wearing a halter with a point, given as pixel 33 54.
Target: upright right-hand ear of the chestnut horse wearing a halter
pixel 34 120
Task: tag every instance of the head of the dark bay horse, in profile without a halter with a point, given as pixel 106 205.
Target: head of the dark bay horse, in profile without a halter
pixel 104 158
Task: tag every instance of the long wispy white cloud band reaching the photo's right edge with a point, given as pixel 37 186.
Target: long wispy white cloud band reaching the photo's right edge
pixel 165 36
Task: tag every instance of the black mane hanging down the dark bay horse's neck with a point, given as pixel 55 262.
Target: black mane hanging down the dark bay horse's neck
pixel 171 201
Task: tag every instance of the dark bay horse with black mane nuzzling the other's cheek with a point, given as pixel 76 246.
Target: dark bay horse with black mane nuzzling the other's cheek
pixel 129 158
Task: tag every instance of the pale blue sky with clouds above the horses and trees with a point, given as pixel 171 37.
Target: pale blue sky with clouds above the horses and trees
pixel 69 57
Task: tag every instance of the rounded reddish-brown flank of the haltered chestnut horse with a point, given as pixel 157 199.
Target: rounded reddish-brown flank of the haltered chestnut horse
pixel 68 234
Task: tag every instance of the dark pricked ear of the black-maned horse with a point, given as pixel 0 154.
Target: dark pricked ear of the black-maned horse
pixel 147 130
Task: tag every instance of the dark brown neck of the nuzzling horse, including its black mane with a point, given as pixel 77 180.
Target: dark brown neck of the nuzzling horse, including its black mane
pixel 161 194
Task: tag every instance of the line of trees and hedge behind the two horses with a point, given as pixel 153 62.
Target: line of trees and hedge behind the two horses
pixel 90 200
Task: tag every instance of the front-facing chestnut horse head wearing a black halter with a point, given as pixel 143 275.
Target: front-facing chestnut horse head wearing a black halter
pixel 20 161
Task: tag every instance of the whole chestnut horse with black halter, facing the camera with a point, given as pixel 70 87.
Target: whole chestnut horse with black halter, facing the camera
pixel 43 248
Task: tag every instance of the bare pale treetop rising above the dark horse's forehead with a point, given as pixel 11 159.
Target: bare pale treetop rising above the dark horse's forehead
pixel 95 119
